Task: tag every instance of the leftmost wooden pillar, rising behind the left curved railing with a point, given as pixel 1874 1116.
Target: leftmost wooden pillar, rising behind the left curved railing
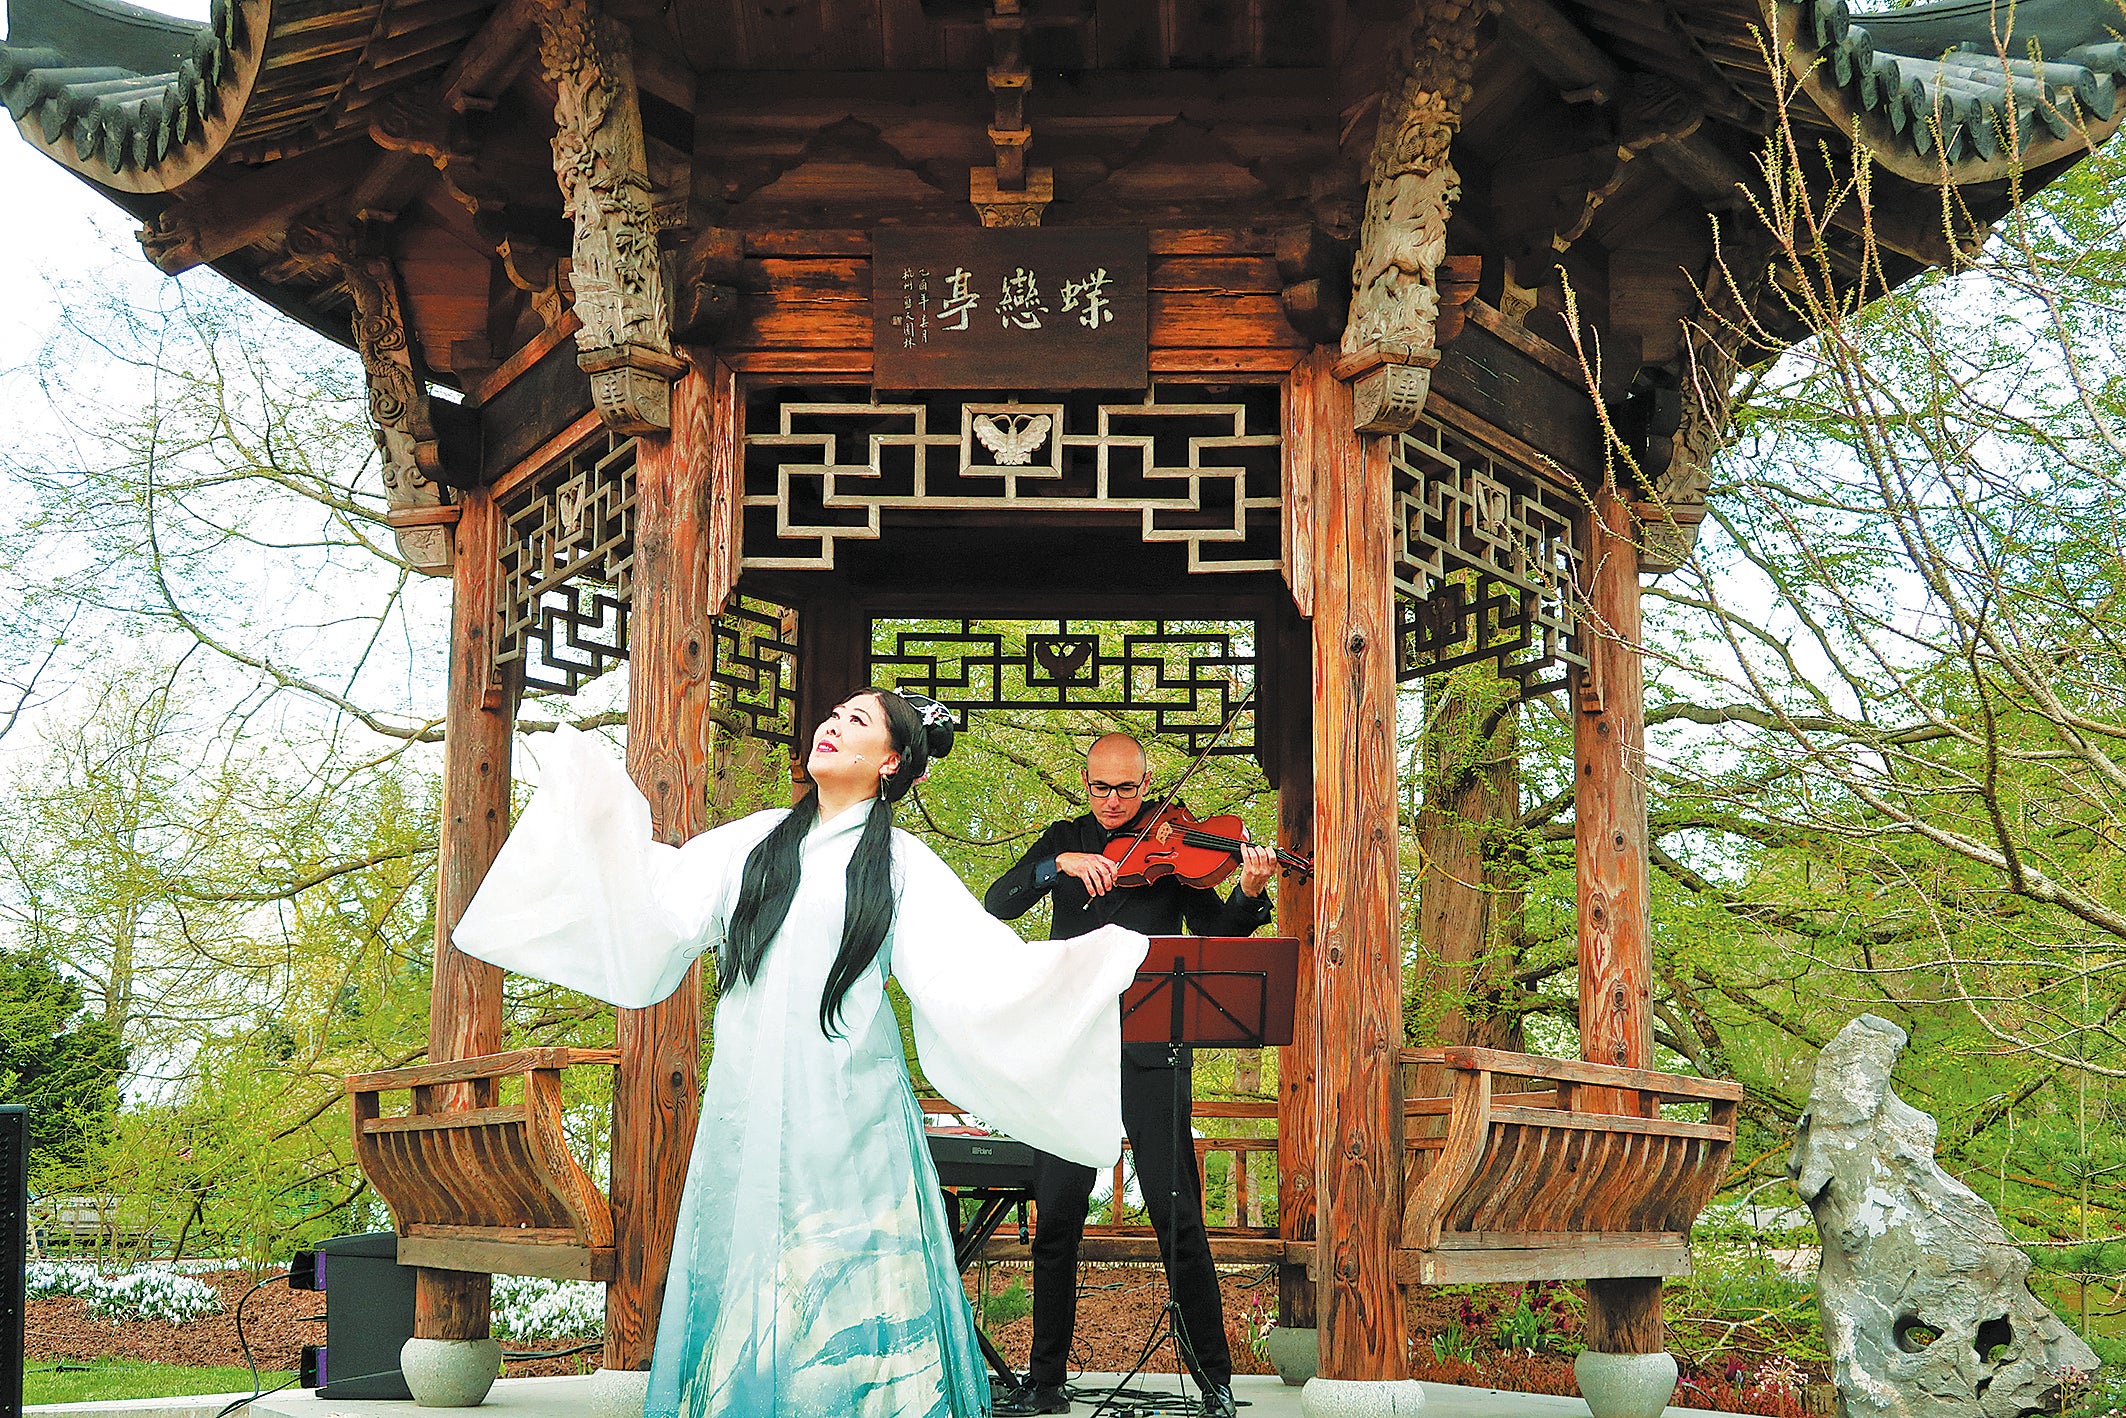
pixel 465 1007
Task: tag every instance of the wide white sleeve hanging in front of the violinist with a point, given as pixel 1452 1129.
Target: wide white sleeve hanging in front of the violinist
pixel 1026 1034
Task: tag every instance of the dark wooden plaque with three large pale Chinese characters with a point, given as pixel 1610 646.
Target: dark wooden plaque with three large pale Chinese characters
pixel 1005 307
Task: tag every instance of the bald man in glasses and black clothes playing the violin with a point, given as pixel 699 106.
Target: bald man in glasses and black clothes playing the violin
pixel 1068 864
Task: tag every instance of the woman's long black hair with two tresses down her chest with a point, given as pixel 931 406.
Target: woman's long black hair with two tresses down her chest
pixel 771 879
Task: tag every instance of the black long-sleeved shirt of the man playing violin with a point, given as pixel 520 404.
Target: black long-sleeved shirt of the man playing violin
pixel 1160 909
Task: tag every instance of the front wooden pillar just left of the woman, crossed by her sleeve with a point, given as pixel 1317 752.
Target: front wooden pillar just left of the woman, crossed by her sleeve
pixel 658 1094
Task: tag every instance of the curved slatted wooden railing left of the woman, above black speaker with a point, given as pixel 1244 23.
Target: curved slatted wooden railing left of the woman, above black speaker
pixel 486 1187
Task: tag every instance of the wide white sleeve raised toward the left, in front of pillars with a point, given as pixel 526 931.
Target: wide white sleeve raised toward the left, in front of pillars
pixel 584 896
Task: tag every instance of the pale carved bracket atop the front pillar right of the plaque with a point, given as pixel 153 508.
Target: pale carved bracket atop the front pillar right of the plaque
pixel 1404 237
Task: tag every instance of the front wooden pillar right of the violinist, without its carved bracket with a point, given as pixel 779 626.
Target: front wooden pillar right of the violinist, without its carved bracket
pixel 1357 956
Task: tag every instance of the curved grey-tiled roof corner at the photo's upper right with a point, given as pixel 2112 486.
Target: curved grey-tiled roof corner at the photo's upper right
pixel 1963 88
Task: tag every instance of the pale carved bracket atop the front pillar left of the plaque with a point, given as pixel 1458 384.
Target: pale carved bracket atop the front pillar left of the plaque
pixel 618 271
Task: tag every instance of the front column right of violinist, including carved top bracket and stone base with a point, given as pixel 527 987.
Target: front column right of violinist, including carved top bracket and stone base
pixel 1368 396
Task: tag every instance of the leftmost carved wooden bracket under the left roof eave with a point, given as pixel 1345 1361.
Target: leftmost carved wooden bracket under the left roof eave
pixel 399 394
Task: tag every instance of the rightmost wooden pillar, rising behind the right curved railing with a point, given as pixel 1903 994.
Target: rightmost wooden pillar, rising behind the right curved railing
pixel 1610 860
